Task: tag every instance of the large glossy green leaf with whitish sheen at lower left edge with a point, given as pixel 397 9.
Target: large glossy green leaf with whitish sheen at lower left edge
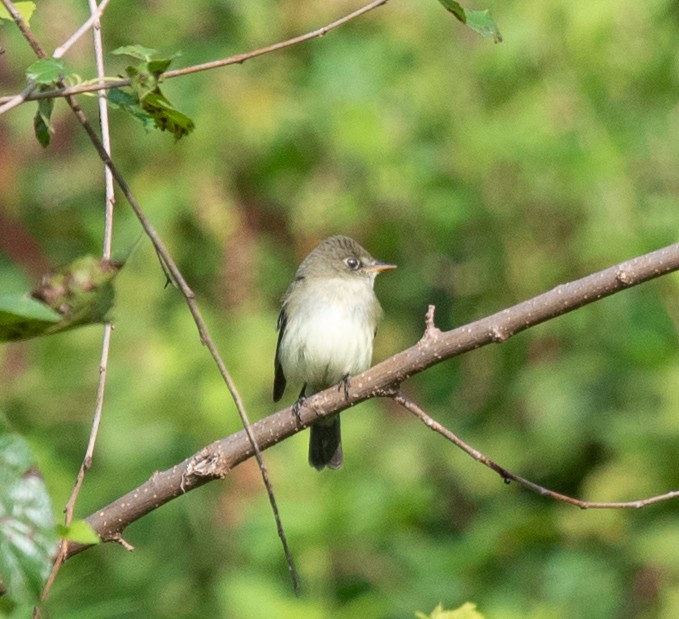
pixel 28 542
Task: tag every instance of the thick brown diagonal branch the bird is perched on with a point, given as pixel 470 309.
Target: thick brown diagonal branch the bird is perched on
pixel 217 459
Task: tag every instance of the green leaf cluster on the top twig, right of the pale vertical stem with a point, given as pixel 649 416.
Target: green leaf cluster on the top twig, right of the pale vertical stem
pixel 144 100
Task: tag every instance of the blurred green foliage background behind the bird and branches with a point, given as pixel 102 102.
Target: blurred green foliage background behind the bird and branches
pixel 488 173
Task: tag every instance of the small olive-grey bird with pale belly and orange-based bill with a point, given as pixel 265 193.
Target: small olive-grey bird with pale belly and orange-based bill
pixel 326 327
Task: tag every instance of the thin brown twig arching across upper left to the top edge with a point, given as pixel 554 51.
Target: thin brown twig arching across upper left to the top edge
pixel 224 62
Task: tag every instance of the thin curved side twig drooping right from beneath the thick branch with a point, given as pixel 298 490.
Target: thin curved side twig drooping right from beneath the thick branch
pixel 508 476
